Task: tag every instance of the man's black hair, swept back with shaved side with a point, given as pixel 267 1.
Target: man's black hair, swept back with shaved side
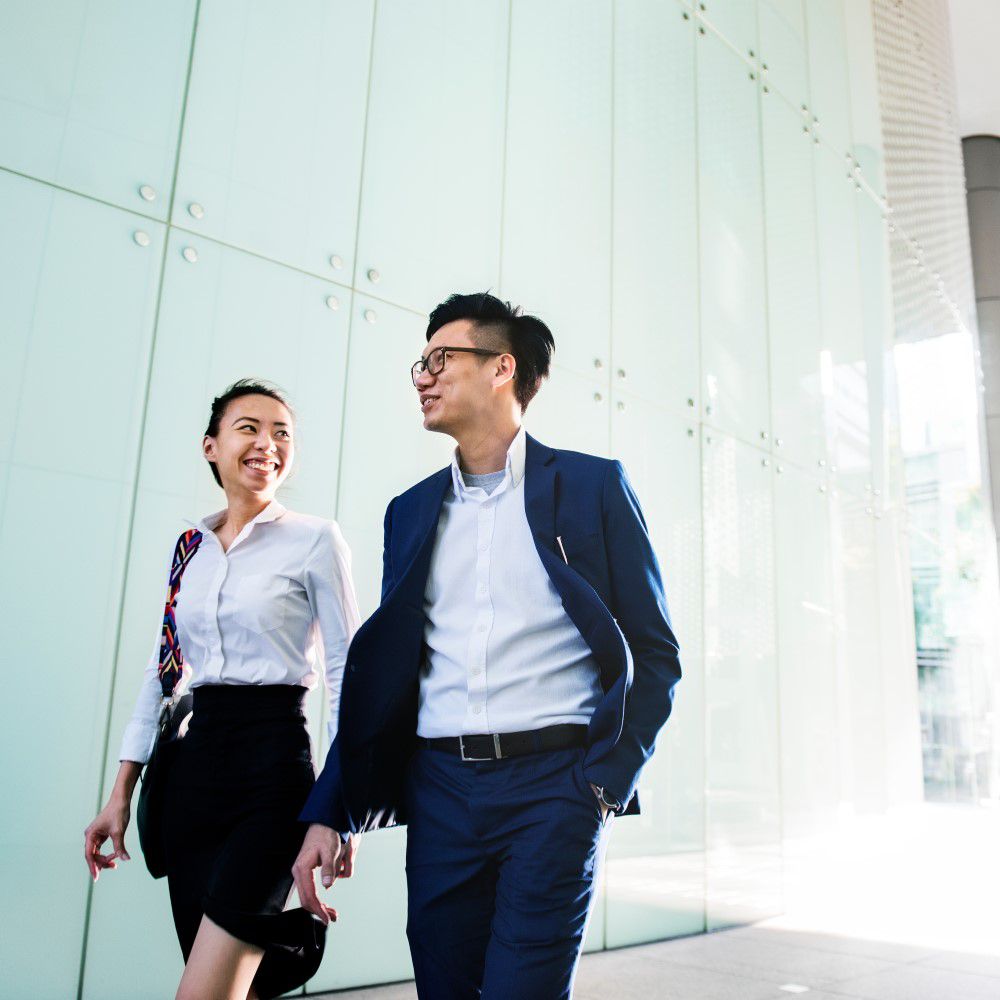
pixel 499 326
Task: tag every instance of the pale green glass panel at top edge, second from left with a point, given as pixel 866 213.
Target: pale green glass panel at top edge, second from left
pixel 273 130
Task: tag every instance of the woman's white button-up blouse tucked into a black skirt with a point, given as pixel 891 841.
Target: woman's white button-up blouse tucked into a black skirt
pixel 269 611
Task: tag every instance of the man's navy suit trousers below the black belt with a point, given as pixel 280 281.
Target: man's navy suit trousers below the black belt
pixel 501 861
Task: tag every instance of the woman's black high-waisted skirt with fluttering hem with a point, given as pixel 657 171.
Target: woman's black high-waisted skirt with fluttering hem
pixel 241 775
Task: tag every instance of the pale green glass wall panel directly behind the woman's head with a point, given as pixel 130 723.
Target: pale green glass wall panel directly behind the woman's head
pixel 227 316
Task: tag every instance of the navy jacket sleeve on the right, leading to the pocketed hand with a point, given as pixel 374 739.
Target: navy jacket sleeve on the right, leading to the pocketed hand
pixel 639 604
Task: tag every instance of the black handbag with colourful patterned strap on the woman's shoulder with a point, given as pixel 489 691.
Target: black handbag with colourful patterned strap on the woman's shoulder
pixel 171 727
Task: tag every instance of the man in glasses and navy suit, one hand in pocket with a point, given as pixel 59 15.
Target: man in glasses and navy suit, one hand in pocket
pixel 507 692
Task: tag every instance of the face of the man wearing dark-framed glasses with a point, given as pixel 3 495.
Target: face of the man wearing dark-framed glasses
pixel 461 393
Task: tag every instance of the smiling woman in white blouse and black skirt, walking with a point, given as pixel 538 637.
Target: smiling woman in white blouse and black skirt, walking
pixel 266 592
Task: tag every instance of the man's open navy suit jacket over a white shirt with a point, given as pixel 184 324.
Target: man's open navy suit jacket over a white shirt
pixel 611 589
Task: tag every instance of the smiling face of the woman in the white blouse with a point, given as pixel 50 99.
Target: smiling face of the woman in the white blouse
pixel 254 448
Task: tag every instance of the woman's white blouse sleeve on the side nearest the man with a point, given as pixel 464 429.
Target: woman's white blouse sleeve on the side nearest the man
pixel 334 605
